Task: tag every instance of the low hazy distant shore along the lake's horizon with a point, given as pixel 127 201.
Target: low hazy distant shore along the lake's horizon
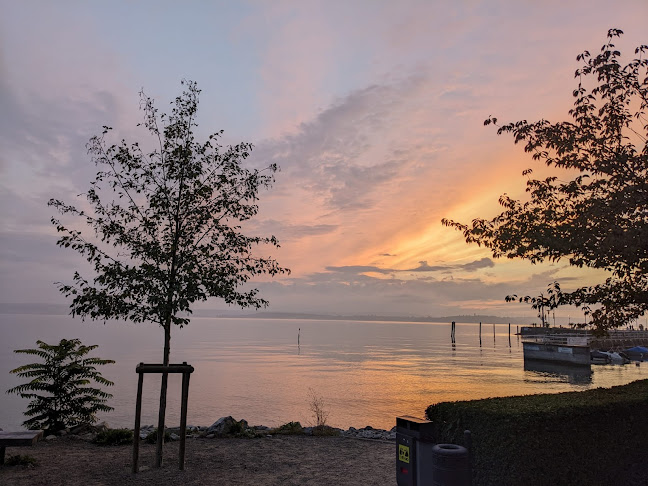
pixel 63 310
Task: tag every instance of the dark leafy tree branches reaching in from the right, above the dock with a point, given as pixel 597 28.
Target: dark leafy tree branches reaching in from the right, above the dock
pixel 595 212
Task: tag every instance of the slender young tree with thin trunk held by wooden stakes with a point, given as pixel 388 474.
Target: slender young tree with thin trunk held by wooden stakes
pixel 166 226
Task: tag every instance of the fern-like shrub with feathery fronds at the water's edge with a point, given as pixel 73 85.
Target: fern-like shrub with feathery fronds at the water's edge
pixel 61 387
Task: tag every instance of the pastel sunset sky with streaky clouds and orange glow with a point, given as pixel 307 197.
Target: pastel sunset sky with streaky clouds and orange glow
pixel 372 109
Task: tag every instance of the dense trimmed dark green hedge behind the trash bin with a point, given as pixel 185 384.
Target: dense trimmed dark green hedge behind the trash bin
pixel 589 437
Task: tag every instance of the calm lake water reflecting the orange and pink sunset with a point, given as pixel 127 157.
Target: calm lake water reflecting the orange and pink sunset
pixel 367 372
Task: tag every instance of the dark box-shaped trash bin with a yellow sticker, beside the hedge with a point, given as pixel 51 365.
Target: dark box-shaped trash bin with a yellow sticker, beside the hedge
pixel 411 434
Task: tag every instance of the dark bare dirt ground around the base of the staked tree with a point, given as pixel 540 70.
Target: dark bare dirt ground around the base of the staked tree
pixel 285 460
